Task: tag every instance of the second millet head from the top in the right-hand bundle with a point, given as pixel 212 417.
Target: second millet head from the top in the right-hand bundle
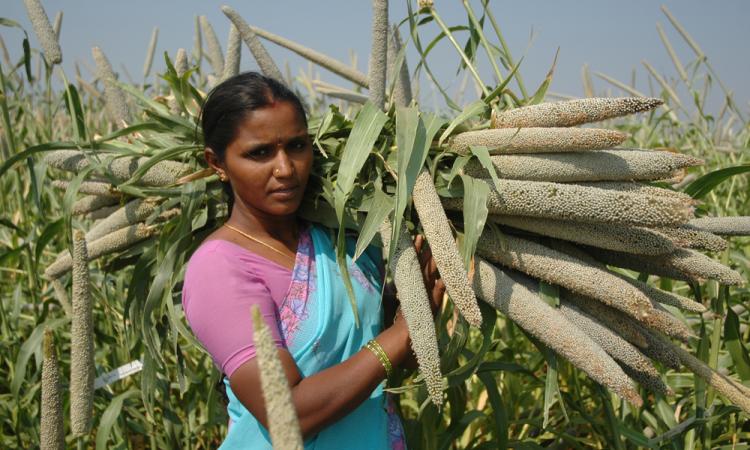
pixel 536 140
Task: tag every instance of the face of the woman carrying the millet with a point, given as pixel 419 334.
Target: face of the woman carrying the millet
pixel 268 163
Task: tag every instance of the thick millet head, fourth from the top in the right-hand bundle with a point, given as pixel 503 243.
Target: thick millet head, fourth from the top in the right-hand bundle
pixel 580 203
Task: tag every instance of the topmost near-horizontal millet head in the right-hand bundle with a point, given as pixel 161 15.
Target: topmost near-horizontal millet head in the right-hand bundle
pixel 573 112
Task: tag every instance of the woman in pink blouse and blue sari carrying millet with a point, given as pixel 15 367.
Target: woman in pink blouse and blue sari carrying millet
pixel 256 139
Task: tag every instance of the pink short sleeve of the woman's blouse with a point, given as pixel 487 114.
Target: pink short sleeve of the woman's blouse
pixel 217 295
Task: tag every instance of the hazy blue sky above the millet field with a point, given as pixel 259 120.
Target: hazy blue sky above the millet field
pixel 612 37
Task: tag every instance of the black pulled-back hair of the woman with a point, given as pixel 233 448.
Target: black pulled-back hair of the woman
pixel 230 102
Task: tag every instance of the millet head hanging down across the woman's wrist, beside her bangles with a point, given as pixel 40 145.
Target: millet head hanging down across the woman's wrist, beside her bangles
pixel 415 306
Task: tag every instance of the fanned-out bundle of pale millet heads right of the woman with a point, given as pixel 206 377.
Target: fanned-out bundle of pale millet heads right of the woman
pixel 570 208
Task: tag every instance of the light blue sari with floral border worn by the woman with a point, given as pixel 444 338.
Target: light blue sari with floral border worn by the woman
pixel 318 326
